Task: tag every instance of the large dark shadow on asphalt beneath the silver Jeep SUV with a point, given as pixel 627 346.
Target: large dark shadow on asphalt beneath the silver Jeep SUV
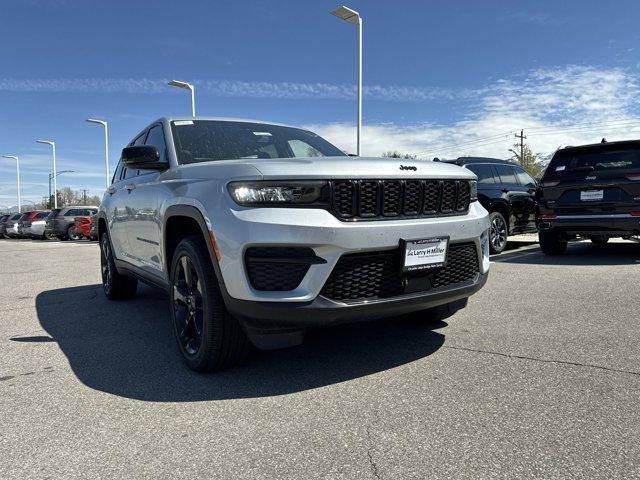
pixel 127 349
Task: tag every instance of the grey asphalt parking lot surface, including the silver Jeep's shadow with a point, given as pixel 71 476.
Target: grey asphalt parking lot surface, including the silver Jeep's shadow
pixel 538 378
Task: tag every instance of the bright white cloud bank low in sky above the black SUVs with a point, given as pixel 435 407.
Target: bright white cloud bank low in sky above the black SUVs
pixel 569 105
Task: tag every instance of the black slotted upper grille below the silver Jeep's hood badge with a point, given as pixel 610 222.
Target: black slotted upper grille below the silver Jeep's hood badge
pixel 378 199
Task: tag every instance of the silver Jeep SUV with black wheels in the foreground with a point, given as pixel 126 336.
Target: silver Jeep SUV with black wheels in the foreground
pixel 259 231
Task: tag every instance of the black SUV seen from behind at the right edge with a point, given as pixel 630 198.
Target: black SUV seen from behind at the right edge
pixel 590 191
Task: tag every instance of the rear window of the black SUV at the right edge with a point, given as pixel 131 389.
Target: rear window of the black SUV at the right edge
pixel 594 160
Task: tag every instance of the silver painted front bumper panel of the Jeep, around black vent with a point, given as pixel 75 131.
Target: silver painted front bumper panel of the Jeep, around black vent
pixel 330 238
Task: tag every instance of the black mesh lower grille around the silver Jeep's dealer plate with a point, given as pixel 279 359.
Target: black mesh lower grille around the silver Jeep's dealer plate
pixel 372 275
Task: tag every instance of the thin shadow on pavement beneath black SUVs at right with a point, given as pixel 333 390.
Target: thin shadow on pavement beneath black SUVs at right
pixel 582 253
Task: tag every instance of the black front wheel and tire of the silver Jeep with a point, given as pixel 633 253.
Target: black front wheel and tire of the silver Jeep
pixel 208 336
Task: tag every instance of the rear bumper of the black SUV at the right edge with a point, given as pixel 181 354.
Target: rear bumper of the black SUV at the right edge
pixel 620 224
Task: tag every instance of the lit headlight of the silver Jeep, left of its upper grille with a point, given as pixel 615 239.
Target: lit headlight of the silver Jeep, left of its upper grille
pixel 270 193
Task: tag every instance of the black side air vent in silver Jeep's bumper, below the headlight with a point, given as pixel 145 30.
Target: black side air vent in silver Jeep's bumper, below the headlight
pixel 278 268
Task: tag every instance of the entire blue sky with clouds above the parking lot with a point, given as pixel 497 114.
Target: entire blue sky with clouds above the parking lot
pixel 442 78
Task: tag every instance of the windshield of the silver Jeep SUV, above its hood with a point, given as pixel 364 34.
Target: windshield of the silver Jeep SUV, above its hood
pixel 208 140
